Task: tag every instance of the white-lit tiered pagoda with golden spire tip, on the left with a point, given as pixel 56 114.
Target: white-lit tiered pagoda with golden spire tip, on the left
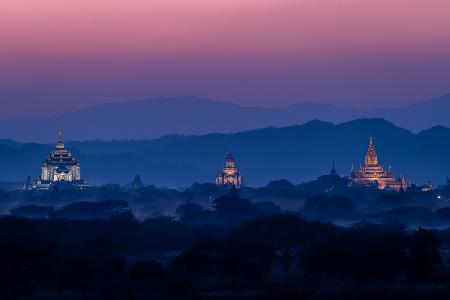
pixel 60 168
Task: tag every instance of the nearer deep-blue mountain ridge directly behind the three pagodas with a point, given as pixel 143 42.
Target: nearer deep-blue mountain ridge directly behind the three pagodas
pixel 297 153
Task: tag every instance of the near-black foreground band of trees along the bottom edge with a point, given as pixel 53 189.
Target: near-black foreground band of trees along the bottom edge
pixel 280 256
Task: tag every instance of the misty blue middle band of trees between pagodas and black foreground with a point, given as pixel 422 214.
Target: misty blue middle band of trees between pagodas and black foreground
pixel 329 199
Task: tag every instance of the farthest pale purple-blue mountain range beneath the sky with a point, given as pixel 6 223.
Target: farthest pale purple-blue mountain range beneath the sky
pixel 153 118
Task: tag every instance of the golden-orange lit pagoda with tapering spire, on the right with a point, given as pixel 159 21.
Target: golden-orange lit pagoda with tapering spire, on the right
pixel 373 173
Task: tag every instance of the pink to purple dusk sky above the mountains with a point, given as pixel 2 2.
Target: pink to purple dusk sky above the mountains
pixel 59 55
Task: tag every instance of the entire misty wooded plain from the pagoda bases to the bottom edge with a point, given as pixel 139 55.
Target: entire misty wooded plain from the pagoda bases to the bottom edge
pixel 321 239
